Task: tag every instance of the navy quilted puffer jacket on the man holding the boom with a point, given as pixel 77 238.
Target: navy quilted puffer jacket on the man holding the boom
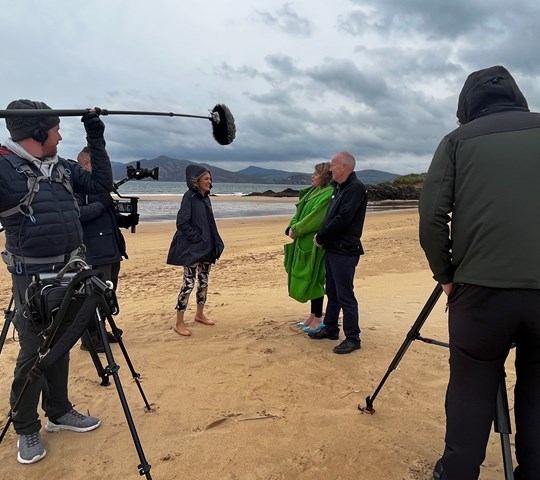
pixel 56 229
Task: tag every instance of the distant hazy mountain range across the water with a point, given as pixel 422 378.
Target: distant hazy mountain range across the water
pixel 173 170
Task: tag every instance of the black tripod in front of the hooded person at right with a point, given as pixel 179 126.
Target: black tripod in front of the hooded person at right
pixel 501 422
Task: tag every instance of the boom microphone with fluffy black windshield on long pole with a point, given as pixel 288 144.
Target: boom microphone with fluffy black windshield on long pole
pixel 223 125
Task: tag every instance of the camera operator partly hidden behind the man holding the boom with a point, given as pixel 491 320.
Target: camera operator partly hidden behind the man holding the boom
pixel 104 242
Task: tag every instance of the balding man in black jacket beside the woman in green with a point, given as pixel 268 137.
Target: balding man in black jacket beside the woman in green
pixel 340 237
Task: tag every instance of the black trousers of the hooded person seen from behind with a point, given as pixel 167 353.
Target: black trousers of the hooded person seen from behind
pixel 483 325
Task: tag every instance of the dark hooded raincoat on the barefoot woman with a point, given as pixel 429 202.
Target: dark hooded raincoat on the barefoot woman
pixel 196 238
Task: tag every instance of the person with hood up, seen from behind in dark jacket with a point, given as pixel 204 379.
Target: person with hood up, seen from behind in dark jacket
pixel 483 182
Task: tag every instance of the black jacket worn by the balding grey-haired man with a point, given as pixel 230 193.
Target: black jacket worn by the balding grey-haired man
pixel 344 219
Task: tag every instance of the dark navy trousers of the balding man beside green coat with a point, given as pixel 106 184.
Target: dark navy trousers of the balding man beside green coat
pixel 340 293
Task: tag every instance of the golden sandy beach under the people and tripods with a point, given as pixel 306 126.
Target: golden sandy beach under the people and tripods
pixel 253 398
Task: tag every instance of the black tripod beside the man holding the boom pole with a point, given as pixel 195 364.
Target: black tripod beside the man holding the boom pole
pixel 92 298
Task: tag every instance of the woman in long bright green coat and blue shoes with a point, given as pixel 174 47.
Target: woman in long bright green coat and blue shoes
pixel 304 262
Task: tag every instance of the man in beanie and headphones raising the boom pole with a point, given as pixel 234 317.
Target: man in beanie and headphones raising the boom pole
pixel 42 233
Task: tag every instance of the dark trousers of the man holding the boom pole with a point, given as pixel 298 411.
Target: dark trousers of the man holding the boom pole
pixel 52 385
